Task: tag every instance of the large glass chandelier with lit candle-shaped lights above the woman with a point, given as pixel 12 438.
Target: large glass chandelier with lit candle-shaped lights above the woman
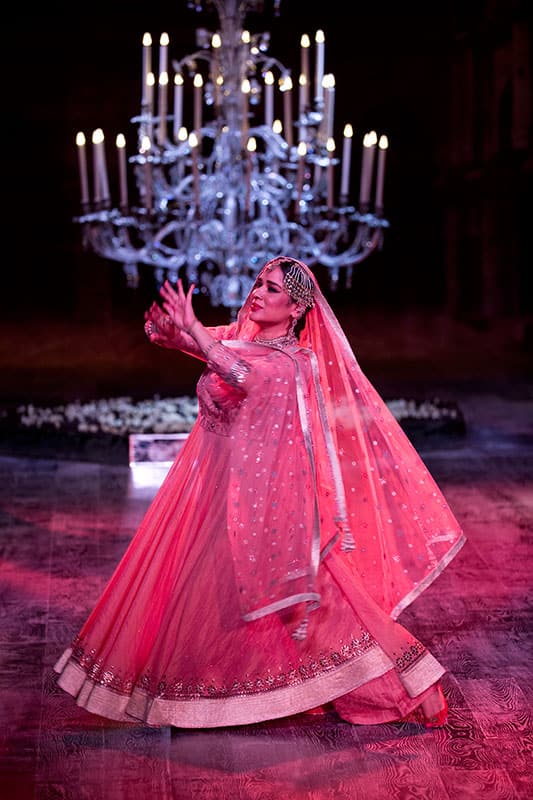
pixel 251 173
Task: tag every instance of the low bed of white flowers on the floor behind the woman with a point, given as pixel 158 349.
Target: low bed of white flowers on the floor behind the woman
pixel 122 416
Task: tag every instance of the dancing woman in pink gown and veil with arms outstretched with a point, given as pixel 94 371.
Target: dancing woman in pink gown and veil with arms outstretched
pixel 293 528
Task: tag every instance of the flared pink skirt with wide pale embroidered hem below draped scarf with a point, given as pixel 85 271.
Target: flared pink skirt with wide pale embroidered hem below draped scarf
pixel 166 644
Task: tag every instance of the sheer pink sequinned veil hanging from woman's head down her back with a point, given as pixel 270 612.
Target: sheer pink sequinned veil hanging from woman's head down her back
pixel 394 525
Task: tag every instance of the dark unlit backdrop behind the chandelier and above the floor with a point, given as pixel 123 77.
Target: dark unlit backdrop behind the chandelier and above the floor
pixel 70 326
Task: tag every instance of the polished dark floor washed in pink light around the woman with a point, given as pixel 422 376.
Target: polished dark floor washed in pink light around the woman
pixel 64 526
